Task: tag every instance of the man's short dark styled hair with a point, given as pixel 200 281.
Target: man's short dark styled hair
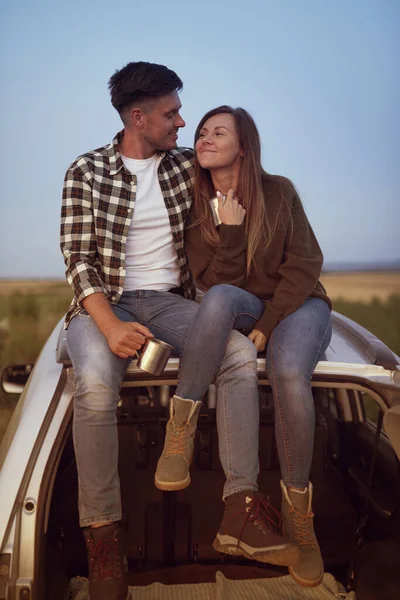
pixel 141 81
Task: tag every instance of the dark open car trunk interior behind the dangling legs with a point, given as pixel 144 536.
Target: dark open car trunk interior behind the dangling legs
pixel 169 535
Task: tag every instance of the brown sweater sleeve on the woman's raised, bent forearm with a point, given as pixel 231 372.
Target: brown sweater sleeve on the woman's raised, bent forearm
pixel 224 264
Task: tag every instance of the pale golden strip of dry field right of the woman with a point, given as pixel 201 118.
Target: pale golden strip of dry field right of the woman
pixel 362 286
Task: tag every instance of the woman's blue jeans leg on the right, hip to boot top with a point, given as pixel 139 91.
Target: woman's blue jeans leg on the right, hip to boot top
pixel 297 343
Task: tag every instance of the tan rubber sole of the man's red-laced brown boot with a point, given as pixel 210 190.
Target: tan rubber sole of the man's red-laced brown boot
pixel 282 556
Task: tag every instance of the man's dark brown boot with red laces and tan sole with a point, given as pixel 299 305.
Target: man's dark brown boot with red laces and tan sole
pixel 250 528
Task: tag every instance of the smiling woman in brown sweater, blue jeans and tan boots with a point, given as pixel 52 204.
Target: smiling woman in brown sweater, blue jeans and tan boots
pixel 261 266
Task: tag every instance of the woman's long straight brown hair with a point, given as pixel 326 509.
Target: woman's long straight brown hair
pixel 258 229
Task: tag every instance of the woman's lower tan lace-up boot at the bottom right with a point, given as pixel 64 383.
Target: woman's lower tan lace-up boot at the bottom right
pixel 297 518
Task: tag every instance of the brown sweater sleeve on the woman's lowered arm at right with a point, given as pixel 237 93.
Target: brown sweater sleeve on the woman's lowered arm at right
pixel 299 270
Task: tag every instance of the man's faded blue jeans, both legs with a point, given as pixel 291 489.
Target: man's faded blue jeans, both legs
pixel 99 373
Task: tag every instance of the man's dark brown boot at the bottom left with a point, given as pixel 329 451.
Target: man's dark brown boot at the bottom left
pixel 107 563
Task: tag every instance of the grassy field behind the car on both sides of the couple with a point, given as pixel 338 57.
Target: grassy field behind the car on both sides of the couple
pixel 29 310
